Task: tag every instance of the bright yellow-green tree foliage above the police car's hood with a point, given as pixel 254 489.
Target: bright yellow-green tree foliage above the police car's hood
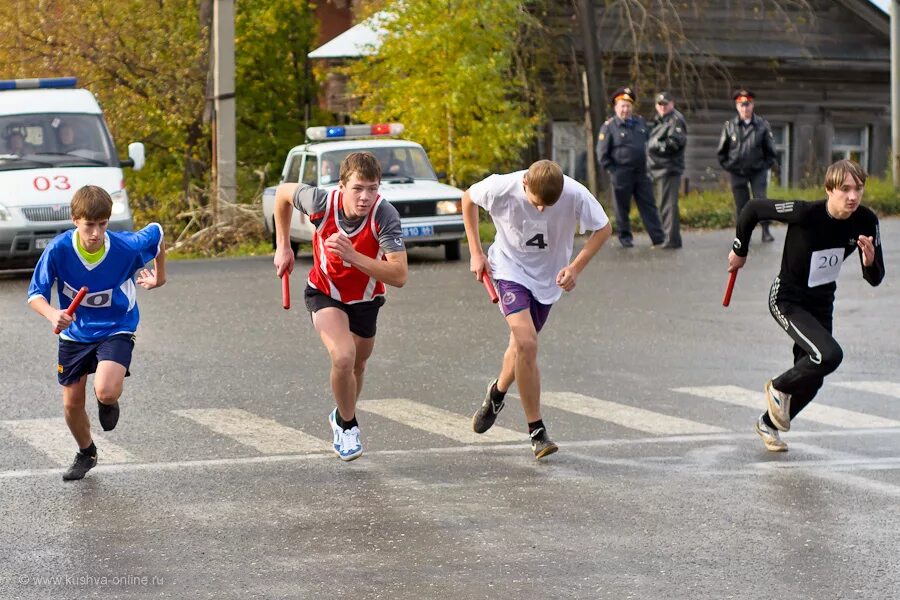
pixel 452 72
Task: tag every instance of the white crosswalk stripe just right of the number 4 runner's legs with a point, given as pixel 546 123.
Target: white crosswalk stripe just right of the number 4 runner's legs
pixel 624 415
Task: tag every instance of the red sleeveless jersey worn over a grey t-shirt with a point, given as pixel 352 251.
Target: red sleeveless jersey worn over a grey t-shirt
pixel 332 276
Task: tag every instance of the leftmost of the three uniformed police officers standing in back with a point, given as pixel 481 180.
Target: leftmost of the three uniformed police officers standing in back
pixel 622 150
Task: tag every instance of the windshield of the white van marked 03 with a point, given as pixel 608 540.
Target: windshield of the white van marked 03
pixel 58 140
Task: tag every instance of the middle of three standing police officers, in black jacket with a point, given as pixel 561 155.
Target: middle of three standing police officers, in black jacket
pixel 665 158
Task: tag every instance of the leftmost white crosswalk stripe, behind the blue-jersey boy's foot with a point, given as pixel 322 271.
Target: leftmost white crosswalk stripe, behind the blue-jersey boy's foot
pixel 52 437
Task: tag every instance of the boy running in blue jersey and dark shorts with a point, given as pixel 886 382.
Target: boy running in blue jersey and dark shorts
pixel 99 337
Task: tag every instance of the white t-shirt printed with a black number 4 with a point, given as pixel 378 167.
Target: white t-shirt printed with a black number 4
pixel 531 247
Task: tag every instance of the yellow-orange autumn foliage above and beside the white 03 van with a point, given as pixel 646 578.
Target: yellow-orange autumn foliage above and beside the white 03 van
pixel 145 61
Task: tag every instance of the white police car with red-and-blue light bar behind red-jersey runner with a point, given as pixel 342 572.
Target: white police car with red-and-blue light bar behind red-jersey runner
pixel 430 211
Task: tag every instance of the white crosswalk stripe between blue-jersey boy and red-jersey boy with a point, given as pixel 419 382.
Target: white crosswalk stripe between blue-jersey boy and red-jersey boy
pixel 265 435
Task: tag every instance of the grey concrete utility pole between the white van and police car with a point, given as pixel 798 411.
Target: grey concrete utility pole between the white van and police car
pixel 225 146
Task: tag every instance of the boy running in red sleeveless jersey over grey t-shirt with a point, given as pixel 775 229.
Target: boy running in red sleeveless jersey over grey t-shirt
pixel 357 248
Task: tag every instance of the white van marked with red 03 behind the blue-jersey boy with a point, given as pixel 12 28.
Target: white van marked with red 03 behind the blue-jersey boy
pixel 53 140
